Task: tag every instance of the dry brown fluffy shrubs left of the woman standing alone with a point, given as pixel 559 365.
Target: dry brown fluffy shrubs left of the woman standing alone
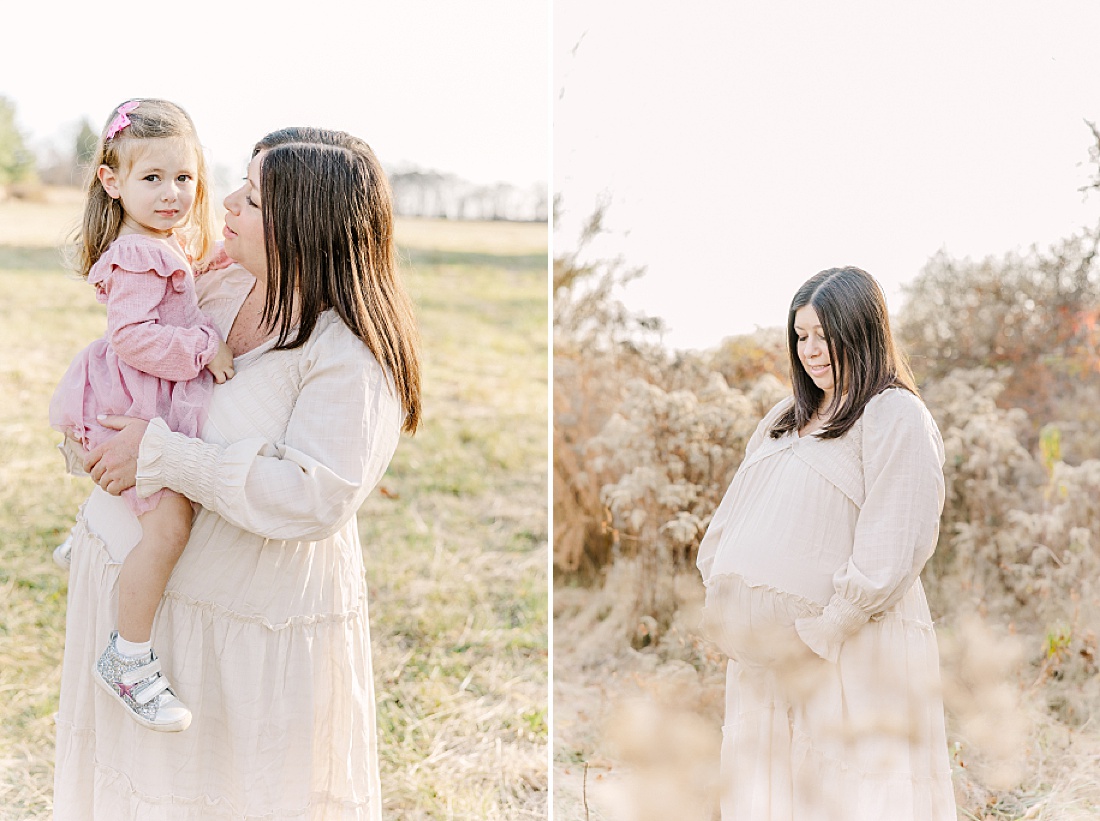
pixel 645 442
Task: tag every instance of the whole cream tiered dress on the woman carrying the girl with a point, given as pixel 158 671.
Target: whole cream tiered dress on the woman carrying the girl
pixel 263 631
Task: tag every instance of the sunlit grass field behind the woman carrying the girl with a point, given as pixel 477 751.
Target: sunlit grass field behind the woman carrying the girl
pixel 456 543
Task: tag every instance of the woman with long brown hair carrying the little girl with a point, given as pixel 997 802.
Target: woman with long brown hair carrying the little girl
pixel 267 612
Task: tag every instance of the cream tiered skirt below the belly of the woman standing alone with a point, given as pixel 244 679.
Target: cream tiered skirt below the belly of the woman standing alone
pixel 805 740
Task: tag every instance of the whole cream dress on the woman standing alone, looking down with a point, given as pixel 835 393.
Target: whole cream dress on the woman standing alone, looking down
pixel 811 564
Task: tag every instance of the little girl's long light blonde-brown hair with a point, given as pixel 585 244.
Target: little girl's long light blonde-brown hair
pixel 152 119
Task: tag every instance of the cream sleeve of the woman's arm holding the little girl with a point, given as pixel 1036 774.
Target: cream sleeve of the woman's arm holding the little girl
pixel 342 434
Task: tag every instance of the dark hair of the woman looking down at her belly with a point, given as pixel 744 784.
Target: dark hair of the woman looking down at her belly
pixel 866 362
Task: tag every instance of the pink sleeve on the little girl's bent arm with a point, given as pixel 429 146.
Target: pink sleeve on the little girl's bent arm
pixel 139 337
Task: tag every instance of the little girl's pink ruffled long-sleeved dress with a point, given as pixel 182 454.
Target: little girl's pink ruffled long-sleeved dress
pixel 152 360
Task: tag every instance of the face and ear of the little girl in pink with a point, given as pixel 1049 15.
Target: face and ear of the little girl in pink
pixel 158 191
